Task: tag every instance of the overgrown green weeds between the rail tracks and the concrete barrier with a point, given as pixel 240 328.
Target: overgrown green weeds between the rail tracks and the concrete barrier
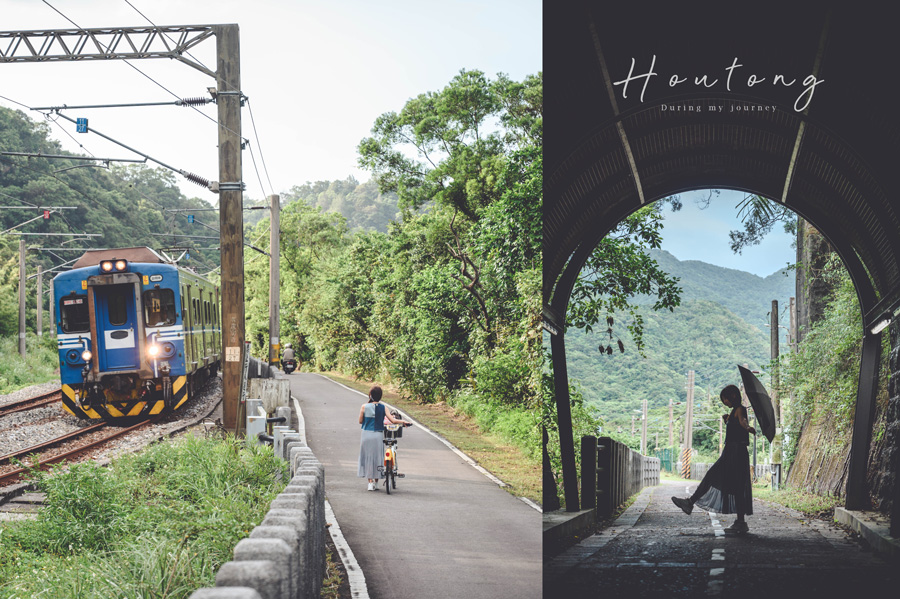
pixel 155 524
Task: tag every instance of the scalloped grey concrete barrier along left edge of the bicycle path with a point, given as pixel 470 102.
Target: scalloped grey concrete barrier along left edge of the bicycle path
pixel 284 557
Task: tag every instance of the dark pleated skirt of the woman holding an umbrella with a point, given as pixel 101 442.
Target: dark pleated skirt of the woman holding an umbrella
pixel 729 482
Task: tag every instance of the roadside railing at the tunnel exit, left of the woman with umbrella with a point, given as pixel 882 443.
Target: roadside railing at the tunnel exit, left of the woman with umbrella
pixel 612 472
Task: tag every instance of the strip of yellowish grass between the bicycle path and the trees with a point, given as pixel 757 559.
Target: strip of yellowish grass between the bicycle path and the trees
pixel 504 460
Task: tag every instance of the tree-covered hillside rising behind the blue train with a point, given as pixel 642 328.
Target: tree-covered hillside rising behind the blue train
pixel 124 205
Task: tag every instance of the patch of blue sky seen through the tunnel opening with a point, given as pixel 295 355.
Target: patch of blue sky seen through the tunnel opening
pixel 695 234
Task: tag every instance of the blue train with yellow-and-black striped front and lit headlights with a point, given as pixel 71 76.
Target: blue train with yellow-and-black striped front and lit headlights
pixel 137 334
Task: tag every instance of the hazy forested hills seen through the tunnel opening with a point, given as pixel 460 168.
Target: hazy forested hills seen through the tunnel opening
pixel 720 323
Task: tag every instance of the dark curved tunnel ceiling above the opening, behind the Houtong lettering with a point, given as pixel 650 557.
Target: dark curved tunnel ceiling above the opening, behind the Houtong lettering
pixel 848 148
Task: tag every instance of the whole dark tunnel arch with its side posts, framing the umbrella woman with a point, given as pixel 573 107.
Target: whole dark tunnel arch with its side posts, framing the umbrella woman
pixel 610 155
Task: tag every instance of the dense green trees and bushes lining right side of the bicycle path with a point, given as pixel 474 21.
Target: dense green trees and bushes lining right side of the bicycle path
pixel 445 304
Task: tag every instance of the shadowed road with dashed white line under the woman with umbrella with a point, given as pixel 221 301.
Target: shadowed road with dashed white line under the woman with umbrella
pixel 656 550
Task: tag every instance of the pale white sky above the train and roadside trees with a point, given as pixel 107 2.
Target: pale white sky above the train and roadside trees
pixel 317 74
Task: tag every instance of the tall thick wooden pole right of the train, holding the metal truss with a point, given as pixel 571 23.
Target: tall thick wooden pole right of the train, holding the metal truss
pixel 231 222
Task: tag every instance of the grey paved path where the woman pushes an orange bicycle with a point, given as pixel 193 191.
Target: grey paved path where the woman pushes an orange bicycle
pixel 447 531
